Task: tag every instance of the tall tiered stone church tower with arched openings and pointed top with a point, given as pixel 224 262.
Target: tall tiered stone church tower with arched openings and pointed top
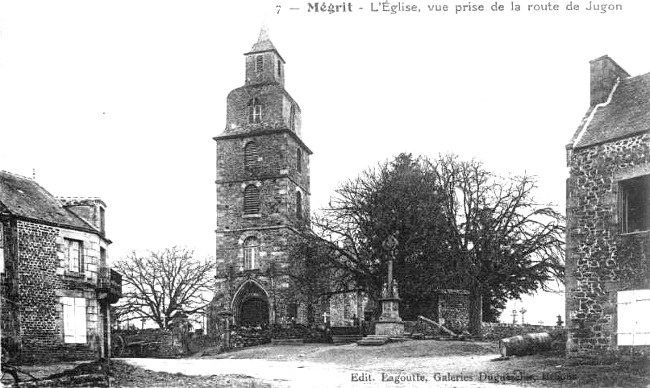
pixel 262 194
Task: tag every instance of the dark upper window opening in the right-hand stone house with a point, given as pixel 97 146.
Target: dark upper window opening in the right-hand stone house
pixel 634 204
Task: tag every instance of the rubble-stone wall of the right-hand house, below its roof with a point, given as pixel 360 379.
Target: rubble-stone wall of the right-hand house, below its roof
pixel 602 259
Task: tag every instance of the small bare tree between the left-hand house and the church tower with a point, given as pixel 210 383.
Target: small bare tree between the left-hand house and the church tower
pixel 163 284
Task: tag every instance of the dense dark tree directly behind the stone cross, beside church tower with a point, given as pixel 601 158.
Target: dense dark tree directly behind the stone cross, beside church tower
pixel 395 197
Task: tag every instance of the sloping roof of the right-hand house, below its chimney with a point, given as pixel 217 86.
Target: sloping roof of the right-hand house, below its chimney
pixel 627 113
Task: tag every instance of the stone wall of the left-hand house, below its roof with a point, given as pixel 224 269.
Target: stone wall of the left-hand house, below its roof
pixel 37 281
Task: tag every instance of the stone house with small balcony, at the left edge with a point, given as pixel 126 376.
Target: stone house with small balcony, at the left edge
pixel 56 284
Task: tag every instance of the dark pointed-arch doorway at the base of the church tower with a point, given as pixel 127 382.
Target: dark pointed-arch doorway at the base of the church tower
pixel 251 305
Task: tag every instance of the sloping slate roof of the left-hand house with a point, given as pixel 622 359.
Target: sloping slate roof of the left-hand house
pixel 22 197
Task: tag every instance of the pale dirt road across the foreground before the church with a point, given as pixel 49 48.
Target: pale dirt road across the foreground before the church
pixel 406 364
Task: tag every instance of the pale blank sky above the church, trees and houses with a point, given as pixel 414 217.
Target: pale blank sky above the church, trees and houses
pixel 121 99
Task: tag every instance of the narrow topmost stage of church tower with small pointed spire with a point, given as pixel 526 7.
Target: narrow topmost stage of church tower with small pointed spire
pixel 264 63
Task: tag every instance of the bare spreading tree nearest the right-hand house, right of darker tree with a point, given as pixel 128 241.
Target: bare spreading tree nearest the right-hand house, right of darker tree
pixel 502 242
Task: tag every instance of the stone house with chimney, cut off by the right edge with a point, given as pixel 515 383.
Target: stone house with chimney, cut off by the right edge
pixel 608 215
